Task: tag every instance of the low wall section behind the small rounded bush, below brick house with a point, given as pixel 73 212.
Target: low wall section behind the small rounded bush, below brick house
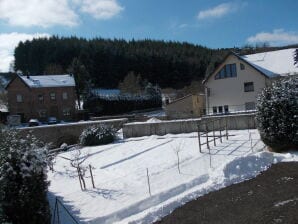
pixel 67 133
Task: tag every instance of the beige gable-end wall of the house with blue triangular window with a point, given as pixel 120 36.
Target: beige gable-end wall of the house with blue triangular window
pixel 230 91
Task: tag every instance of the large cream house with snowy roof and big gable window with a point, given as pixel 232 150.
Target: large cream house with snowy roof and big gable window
pixel 236 82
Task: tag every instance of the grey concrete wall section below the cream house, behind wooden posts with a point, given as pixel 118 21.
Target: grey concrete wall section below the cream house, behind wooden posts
pixel 234 122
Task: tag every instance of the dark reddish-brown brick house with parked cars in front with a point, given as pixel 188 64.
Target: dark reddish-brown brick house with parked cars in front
pixel 42 96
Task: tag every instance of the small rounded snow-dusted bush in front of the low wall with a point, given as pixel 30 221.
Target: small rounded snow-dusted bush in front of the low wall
pixel 97 135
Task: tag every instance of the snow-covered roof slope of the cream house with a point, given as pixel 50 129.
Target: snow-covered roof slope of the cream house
pixel 276 62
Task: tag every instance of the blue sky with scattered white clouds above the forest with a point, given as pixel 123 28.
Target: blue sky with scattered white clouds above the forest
pixel 212 23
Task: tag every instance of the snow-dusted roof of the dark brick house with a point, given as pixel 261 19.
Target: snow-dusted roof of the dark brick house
pixel 48 80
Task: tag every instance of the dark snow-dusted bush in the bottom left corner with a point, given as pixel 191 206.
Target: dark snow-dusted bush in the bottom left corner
pixel 23 179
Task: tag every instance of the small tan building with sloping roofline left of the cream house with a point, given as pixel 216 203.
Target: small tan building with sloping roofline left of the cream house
pixel 190 106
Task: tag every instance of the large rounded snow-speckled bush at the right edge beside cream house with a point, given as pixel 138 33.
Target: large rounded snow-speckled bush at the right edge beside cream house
pixel 277 115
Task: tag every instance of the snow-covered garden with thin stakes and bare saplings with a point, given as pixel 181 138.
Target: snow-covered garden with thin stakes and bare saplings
pixel 120 173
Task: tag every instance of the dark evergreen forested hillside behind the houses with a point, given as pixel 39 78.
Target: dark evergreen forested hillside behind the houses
pixel 105 62
